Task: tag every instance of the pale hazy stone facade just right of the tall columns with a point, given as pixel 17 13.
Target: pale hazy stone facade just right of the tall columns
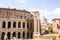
pixel 44 25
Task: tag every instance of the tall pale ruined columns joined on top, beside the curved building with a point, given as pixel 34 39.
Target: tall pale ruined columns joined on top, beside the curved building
pixel 36 34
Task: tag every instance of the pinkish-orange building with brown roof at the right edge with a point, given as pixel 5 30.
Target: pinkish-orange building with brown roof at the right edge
pixel 56 25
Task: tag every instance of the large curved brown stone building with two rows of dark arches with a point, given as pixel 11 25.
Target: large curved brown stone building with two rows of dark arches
pixel 16 23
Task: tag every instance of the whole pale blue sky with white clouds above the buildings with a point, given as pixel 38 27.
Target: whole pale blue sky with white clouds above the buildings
pixel 49 9
